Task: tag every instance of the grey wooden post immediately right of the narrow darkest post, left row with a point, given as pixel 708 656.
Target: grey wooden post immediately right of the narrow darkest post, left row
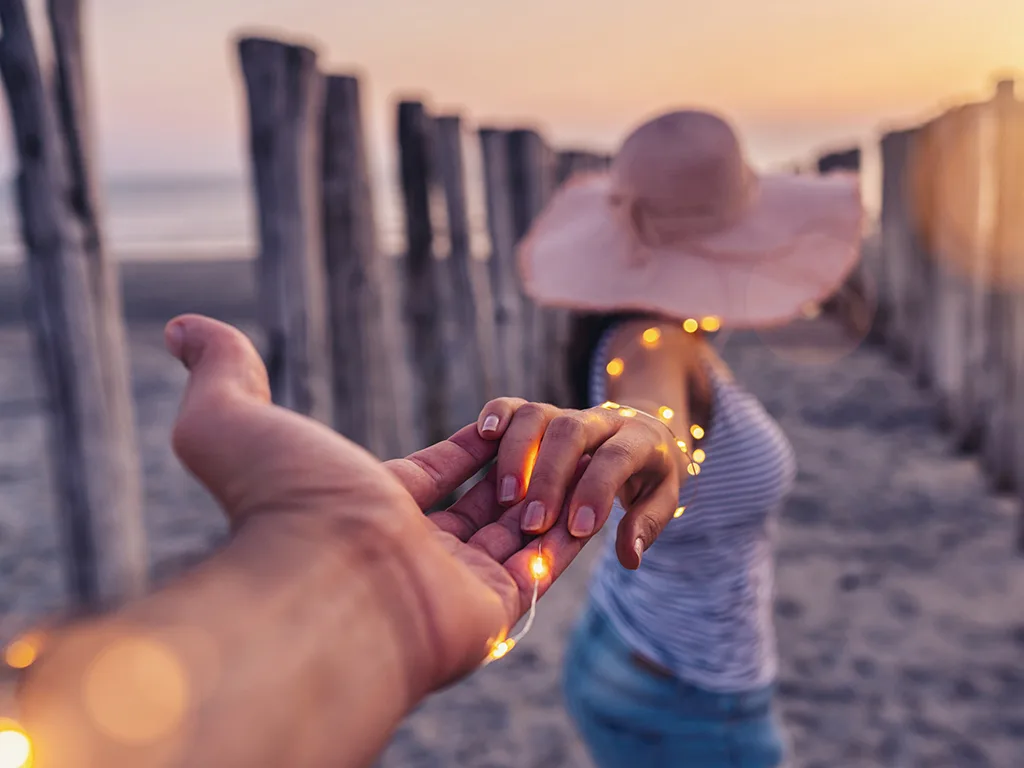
pixel 470 318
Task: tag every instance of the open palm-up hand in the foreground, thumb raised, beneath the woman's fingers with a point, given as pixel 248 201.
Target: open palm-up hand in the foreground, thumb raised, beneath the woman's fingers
pixel 451 584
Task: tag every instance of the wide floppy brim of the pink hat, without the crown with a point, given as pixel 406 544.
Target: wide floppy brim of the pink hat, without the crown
pixel 795 246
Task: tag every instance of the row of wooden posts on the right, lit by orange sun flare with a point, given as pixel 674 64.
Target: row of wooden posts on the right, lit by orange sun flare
pixel 950 273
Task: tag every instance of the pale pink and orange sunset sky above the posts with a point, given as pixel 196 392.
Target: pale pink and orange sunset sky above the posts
pixel 795 76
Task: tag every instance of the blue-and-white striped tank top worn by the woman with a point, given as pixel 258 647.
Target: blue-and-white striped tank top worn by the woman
pixel 701 604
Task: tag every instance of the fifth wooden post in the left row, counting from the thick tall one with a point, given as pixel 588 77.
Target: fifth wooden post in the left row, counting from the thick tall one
pixel 504 277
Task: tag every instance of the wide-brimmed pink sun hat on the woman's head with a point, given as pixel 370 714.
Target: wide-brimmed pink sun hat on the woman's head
pixel 681 227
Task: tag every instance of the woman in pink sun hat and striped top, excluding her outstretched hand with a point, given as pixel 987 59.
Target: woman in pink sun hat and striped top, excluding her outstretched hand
pixel 674 661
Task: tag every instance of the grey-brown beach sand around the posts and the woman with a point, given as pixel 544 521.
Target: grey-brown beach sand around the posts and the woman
pixel 901 600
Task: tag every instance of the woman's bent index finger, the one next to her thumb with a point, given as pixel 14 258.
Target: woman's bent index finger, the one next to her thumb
pixel 633 450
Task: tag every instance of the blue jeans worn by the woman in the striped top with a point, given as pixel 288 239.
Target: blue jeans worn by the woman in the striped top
pixel 633 717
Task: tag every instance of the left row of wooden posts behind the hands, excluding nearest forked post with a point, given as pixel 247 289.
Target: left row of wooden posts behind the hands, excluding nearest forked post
pixel 395 353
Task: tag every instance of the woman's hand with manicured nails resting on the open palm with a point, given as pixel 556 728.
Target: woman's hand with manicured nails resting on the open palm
pixel 634 458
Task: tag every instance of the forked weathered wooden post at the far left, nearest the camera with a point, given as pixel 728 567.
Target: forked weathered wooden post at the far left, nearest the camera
pixel 75 317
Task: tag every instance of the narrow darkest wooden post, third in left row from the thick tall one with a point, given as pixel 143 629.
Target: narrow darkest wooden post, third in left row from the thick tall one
pixel 424 303
